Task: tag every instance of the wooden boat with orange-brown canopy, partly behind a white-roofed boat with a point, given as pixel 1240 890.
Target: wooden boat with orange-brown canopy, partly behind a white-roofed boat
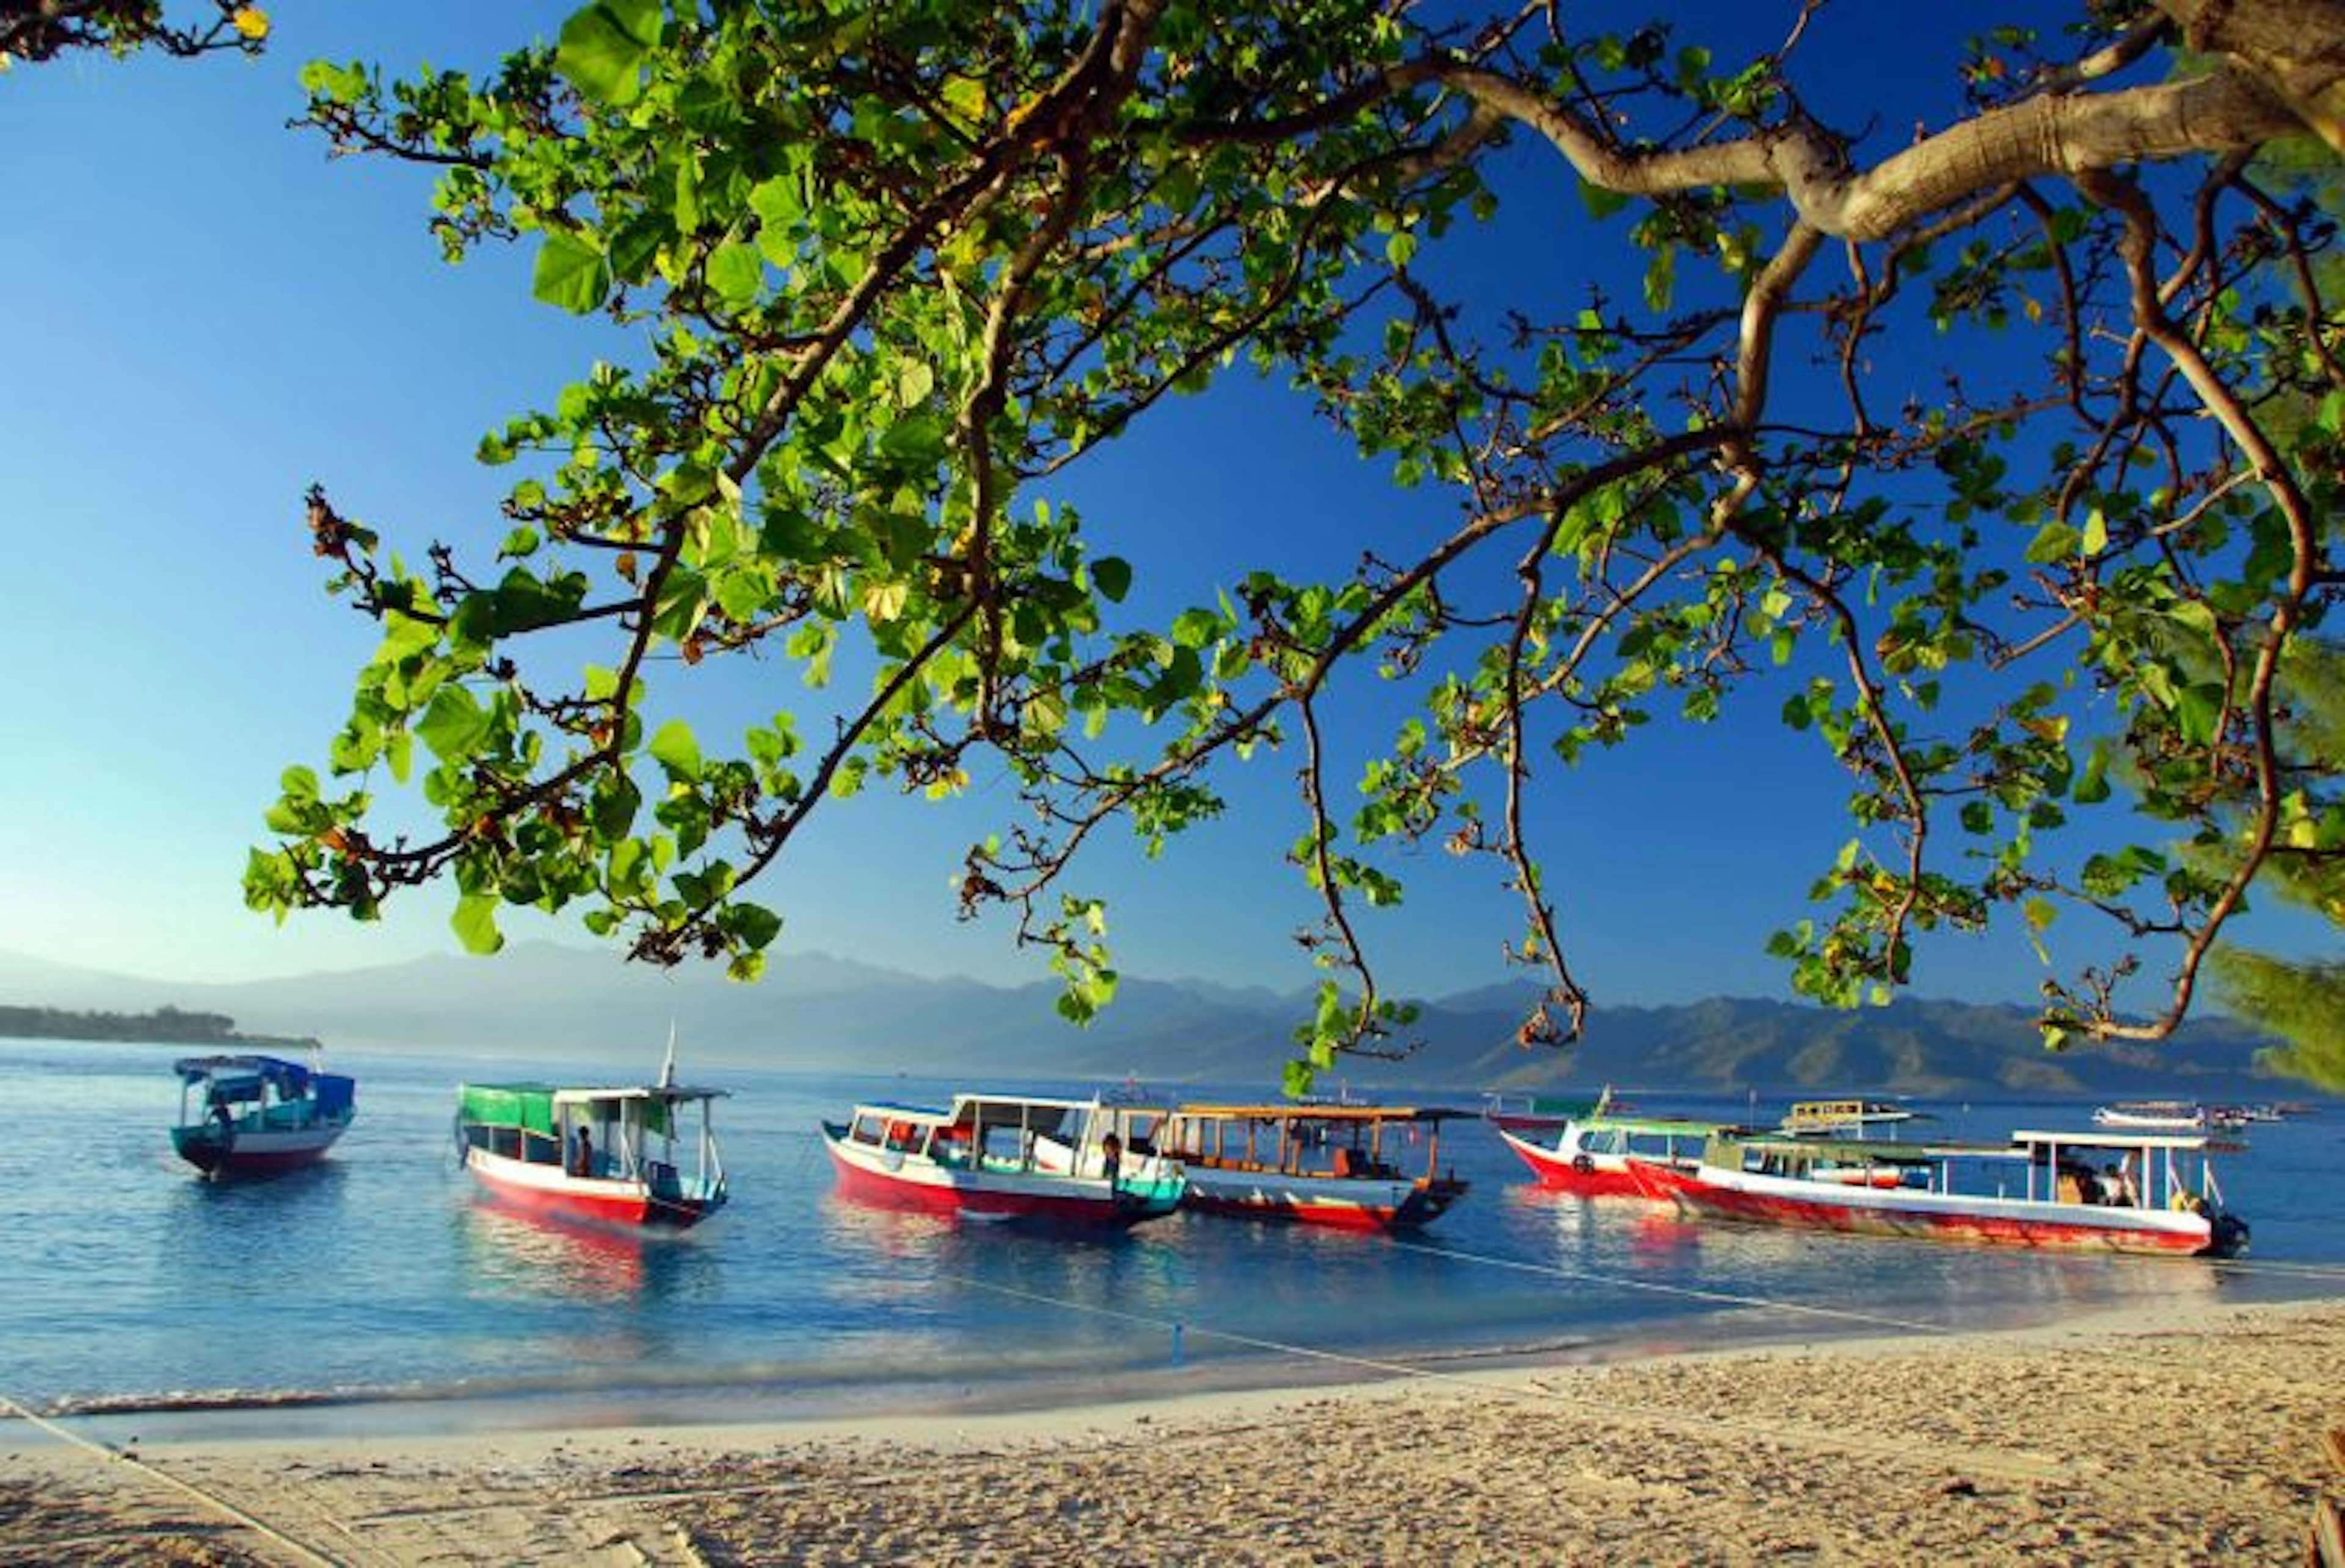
pixel 1319 1166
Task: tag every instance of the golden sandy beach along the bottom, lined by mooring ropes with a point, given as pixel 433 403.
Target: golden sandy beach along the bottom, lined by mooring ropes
pixel 2156 1440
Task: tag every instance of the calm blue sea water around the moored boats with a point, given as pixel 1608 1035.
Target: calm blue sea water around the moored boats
pixel 381 1281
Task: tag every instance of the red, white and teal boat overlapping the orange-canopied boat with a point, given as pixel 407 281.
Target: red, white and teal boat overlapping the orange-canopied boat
pixel 1007 1159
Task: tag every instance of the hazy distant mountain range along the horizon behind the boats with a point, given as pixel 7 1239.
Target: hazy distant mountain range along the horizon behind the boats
pixel 815 1011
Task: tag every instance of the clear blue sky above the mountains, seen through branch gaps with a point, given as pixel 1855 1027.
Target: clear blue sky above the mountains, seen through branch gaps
pixel 208 315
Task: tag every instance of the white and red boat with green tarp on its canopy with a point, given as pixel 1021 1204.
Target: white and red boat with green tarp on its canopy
pixel 597 1154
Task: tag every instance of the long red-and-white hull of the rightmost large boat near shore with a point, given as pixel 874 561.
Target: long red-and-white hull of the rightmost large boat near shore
pixel 1943 1218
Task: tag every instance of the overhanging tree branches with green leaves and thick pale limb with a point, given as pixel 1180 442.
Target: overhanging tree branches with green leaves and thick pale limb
pixel 895 268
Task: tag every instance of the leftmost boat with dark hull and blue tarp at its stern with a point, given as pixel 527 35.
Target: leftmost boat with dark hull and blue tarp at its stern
pixel 259 1114
